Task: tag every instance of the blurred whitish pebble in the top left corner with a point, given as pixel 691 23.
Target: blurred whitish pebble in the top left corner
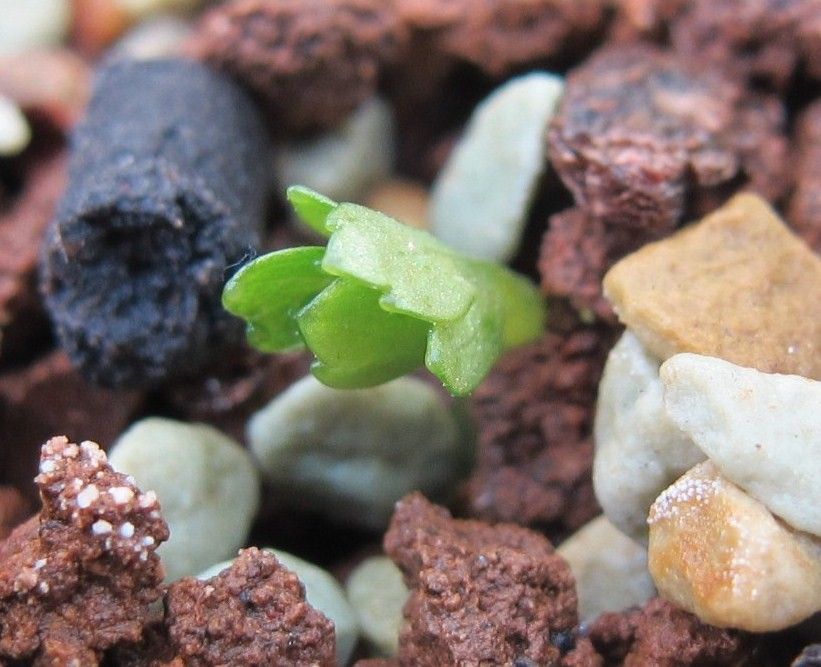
pixel 26 25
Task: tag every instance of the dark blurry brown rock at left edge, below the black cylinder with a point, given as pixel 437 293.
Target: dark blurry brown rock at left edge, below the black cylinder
pixel 48 396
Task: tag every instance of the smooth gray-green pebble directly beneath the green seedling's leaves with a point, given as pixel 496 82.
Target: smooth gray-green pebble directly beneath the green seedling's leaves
pixel 351 454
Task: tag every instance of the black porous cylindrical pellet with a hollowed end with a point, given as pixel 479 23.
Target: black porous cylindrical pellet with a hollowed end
pixel 167 185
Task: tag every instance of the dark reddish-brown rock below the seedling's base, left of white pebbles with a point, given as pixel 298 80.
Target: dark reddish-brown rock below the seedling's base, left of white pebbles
pixel 534 416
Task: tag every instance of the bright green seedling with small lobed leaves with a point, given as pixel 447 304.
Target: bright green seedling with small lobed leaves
pixel 382 299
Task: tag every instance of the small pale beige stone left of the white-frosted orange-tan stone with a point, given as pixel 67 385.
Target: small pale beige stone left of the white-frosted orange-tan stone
pixel 610 569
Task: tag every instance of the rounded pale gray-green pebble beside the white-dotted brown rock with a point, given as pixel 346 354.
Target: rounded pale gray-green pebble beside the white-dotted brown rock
pixel 206 483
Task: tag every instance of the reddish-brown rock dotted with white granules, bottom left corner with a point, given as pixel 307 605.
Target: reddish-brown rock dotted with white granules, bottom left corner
pixel 79 577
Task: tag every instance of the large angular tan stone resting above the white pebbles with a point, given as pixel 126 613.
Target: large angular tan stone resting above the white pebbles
pixel 738 285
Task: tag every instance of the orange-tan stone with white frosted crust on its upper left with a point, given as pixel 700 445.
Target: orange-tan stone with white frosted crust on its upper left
pixel 721 555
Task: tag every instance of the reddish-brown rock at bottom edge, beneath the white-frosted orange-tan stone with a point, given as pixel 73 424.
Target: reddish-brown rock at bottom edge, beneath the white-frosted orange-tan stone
pixel 661 635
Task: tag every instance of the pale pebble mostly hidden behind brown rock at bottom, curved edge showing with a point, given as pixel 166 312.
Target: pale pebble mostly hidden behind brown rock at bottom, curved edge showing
pixel 322 592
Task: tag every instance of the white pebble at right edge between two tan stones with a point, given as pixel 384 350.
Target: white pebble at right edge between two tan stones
pixel 761 430
